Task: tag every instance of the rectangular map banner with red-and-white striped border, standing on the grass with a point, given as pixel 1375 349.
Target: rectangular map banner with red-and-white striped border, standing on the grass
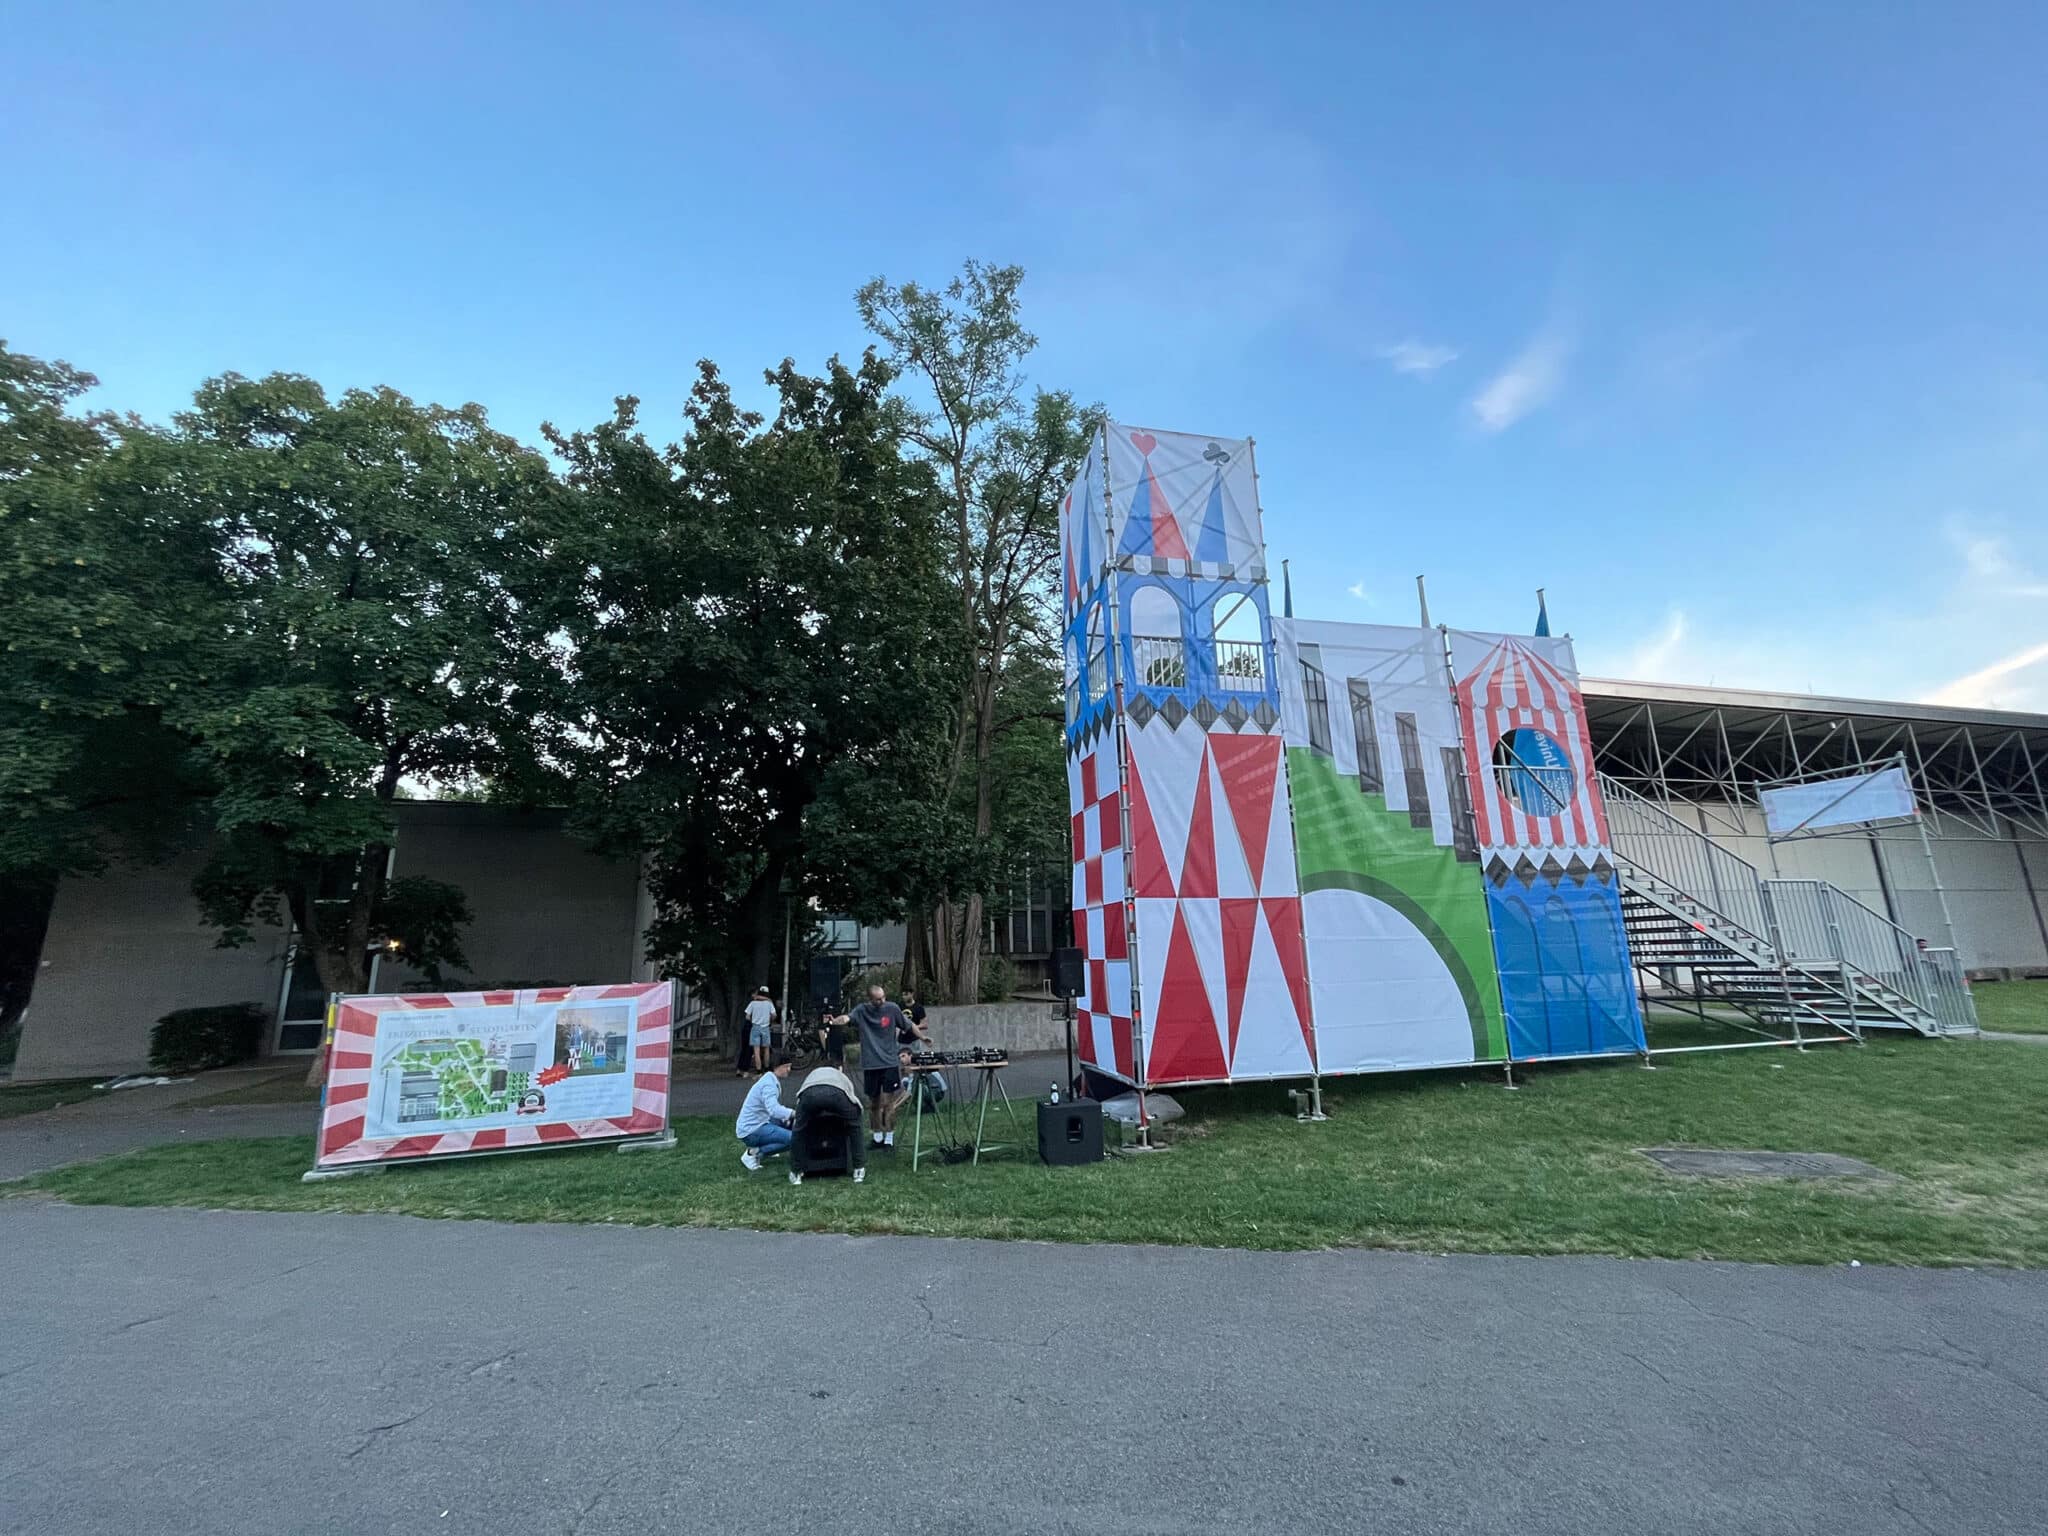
pixel 474 1072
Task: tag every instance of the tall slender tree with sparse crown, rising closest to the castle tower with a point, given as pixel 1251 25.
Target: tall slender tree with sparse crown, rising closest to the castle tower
pixel 1002 458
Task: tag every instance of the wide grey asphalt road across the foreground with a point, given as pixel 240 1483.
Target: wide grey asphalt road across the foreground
pixel 241 1373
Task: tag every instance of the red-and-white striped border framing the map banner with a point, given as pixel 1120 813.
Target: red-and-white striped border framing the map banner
pixel 343 1109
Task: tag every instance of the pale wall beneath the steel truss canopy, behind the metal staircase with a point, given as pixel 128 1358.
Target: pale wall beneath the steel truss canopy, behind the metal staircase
pixel 1986 880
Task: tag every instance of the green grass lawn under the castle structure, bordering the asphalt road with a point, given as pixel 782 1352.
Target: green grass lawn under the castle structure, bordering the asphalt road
pixel 1422 1162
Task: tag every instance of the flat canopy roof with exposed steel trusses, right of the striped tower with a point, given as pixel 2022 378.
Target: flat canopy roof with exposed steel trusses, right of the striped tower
pixel 1983 769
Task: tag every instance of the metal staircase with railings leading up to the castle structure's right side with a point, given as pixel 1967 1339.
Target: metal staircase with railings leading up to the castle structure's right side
pixel 1799 957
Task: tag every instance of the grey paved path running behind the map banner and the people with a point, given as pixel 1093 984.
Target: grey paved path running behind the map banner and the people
pixel 103 1125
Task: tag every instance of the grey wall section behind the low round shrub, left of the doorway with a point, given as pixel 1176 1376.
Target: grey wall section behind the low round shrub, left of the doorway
pixel 122 951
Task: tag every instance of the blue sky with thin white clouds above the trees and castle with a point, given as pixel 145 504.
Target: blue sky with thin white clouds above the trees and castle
pixel 1725 325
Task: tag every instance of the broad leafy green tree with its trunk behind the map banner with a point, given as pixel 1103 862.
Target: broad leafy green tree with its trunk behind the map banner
pixel 368 632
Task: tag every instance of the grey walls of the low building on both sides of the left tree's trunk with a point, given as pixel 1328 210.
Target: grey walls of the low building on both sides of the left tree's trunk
pixel 128 947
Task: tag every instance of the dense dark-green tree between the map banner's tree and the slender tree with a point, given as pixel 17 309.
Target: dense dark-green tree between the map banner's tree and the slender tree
pixel 755 658
